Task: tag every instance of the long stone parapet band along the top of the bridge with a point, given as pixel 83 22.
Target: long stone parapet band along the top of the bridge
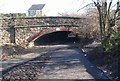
pixel 42 21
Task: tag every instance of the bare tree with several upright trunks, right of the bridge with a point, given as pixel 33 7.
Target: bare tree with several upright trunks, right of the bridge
pixel 105 20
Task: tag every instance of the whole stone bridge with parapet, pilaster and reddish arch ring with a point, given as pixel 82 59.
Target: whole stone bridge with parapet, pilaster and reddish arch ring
pixel 23 31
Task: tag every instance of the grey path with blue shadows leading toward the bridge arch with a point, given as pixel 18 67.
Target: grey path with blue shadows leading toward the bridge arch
pixel 63 63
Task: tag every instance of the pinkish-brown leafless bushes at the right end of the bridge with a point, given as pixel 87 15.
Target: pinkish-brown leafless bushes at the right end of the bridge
pixel 89 26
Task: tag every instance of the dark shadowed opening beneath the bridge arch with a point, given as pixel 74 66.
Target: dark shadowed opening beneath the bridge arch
pixel 57 37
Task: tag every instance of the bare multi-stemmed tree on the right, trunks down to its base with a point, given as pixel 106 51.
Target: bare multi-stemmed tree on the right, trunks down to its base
pixel 106 22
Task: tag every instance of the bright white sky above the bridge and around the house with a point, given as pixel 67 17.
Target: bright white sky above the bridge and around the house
pixel 53 7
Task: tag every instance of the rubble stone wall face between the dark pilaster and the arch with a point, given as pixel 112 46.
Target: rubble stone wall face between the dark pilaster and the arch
pixel 23 35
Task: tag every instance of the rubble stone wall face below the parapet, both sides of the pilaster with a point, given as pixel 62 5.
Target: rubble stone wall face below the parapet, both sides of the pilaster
pixel 23 35
